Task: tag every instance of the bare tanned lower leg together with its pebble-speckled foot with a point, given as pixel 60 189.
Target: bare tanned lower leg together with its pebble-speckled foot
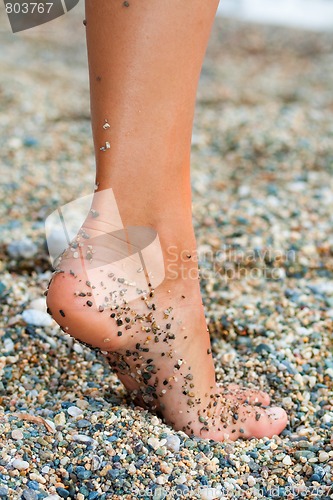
pixel 145 60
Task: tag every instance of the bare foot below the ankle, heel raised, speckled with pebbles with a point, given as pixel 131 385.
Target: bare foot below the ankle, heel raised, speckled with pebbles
pixel 155 340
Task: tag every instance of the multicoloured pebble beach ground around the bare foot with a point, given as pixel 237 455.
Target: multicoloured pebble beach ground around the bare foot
pixel 263 213
